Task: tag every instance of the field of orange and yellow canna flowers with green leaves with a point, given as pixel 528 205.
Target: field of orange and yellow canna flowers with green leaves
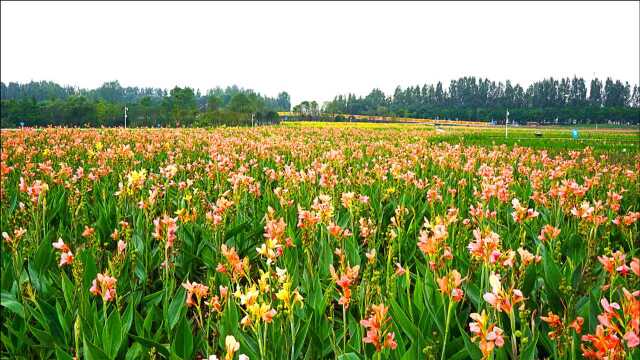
pixel 294 242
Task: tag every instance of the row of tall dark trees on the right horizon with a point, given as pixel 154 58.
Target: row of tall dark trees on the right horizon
pixel 471 98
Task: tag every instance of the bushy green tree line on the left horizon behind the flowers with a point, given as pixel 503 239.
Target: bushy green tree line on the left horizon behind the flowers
pixel 47 103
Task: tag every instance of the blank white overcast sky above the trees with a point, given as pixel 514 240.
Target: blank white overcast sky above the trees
pixel 316 50
